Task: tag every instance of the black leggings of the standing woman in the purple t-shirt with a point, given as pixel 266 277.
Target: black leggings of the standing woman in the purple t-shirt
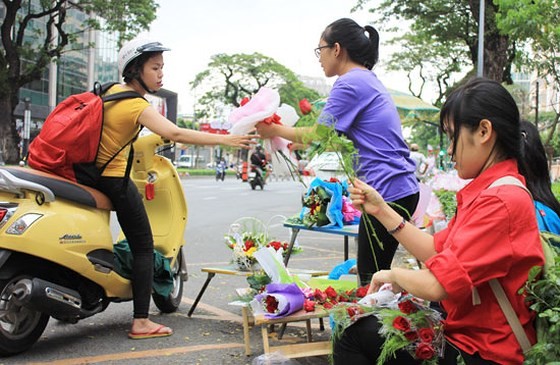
pixel 366 262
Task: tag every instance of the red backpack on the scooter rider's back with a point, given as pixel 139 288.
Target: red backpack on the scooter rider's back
pixel 69 140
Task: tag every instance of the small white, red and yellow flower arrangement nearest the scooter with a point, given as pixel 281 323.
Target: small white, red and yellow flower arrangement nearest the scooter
pixel 243 246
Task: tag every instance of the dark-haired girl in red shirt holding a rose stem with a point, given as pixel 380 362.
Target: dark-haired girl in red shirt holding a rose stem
pixel 494 235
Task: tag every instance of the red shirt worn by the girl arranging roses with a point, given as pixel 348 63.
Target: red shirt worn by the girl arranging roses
pixel 494 235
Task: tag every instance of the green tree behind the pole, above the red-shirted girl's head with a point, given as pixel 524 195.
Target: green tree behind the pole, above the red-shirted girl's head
pixel 443 38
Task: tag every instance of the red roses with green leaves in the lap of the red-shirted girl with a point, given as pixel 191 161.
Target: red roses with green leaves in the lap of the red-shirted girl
pixel 413 327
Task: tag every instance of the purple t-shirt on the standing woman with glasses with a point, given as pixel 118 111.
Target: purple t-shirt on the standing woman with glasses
pixel 363 110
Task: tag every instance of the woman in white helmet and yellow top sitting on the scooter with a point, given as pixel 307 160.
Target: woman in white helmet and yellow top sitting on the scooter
pixel 141 66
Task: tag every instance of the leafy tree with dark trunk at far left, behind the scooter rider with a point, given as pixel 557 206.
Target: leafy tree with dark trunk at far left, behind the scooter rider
pixel 37 32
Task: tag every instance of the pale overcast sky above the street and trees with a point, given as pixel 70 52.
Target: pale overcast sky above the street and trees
pixel 286 30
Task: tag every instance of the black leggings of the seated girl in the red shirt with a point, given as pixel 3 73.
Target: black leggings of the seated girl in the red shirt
pixel 361 343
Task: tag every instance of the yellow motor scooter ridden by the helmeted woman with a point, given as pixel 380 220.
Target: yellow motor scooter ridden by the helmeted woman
pixel 56 246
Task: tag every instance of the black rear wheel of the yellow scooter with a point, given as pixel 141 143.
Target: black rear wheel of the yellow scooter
pixel 20 327
